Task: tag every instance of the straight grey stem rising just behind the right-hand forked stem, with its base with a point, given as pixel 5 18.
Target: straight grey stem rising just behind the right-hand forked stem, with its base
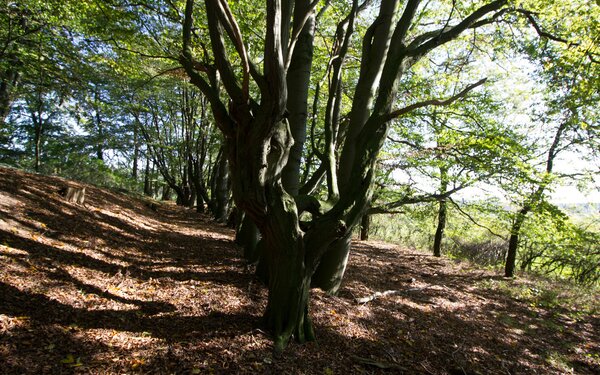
pixel 360 149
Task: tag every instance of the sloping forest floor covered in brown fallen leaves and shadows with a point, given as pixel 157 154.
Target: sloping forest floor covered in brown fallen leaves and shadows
pixel 114 287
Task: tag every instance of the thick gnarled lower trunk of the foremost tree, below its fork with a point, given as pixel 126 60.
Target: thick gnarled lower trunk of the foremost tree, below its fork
pixel 284 254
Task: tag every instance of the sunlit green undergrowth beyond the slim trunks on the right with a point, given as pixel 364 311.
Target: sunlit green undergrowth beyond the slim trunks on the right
pixel 564 249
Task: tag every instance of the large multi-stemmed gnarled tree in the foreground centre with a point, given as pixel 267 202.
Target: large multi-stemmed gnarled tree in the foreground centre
pixel 255 122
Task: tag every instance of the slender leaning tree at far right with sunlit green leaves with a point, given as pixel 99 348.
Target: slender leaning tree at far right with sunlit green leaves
pixel 571 71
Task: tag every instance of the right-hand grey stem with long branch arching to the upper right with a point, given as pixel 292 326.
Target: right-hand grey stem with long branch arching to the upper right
pixel 386 46
